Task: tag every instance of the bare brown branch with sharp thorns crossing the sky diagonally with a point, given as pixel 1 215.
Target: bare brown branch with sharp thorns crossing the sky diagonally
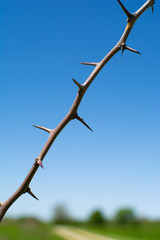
pixel 72 114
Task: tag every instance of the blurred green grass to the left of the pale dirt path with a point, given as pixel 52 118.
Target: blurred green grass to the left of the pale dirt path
pixel 26 229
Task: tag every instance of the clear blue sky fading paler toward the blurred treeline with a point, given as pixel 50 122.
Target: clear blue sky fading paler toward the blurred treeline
pixel 42 43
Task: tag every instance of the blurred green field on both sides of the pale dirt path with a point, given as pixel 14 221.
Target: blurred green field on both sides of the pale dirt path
pixel 31 228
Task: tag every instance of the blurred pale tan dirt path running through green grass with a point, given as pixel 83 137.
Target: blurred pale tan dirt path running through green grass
pixel 72 233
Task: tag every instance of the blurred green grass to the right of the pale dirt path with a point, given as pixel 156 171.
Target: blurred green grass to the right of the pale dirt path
pixel 140 231
